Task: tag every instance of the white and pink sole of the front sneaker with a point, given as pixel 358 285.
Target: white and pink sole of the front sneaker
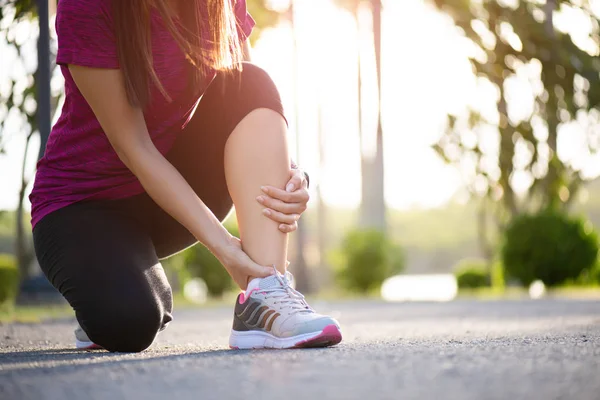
pixel 329 336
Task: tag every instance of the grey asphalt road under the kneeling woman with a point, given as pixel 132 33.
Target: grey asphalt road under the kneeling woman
pixel 546 349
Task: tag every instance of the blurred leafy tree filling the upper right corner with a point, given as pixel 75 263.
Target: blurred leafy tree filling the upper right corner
pixel 507 40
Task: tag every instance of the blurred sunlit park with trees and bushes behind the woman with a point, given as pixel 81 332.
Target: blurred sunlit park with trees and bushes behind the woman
pixel 452 146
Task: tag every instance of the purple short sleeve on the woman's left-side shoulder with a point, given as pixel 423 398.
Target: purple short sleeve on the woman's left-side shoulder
pixel 86 34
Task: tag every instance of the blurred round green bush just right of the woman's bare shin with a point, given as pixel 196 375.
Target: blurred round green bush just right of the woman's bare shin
pixel 366 259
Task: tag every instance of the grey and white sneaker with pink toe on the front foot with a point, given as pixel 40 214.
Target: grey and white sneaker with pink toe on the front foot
pixel 272 314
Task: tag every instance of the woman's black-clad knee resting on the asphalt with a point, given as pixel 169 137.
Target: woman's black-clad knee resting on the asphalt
pixel 126 327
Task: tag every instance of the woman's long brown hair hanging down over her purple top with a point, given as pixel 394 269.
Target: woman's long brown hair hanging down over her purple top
pixel 220 51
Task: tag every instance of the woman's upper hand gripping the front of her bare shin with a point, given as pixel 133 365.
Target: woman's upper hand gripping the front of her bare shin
pixel 286 206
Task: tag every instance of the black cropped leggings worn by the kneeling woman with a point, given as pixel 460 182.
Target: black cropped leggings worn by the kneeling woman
pixel 103 256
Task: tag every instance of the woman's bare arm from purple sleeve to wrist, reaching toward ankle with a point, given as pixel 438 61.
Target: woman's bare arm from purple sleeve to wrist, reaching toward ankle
pixel 125 128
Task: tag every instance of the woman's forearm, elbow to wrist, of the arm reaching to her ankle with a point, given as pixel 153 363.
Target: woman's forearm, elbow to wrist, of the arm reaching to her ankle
pixel 165 185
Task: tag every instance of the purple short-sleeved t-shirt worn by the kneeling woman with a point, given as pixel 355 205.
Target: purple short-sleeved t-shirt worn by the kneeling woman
pixel 79 163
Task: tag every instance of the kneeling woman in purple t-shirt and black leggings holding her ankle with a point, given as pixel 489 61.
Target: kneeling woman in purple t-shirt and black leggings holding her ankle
pixel 162 131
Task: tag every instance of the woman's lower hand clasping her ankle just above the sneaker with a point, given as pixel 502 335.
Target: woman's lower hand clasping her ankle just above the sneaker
pixel 239 265
